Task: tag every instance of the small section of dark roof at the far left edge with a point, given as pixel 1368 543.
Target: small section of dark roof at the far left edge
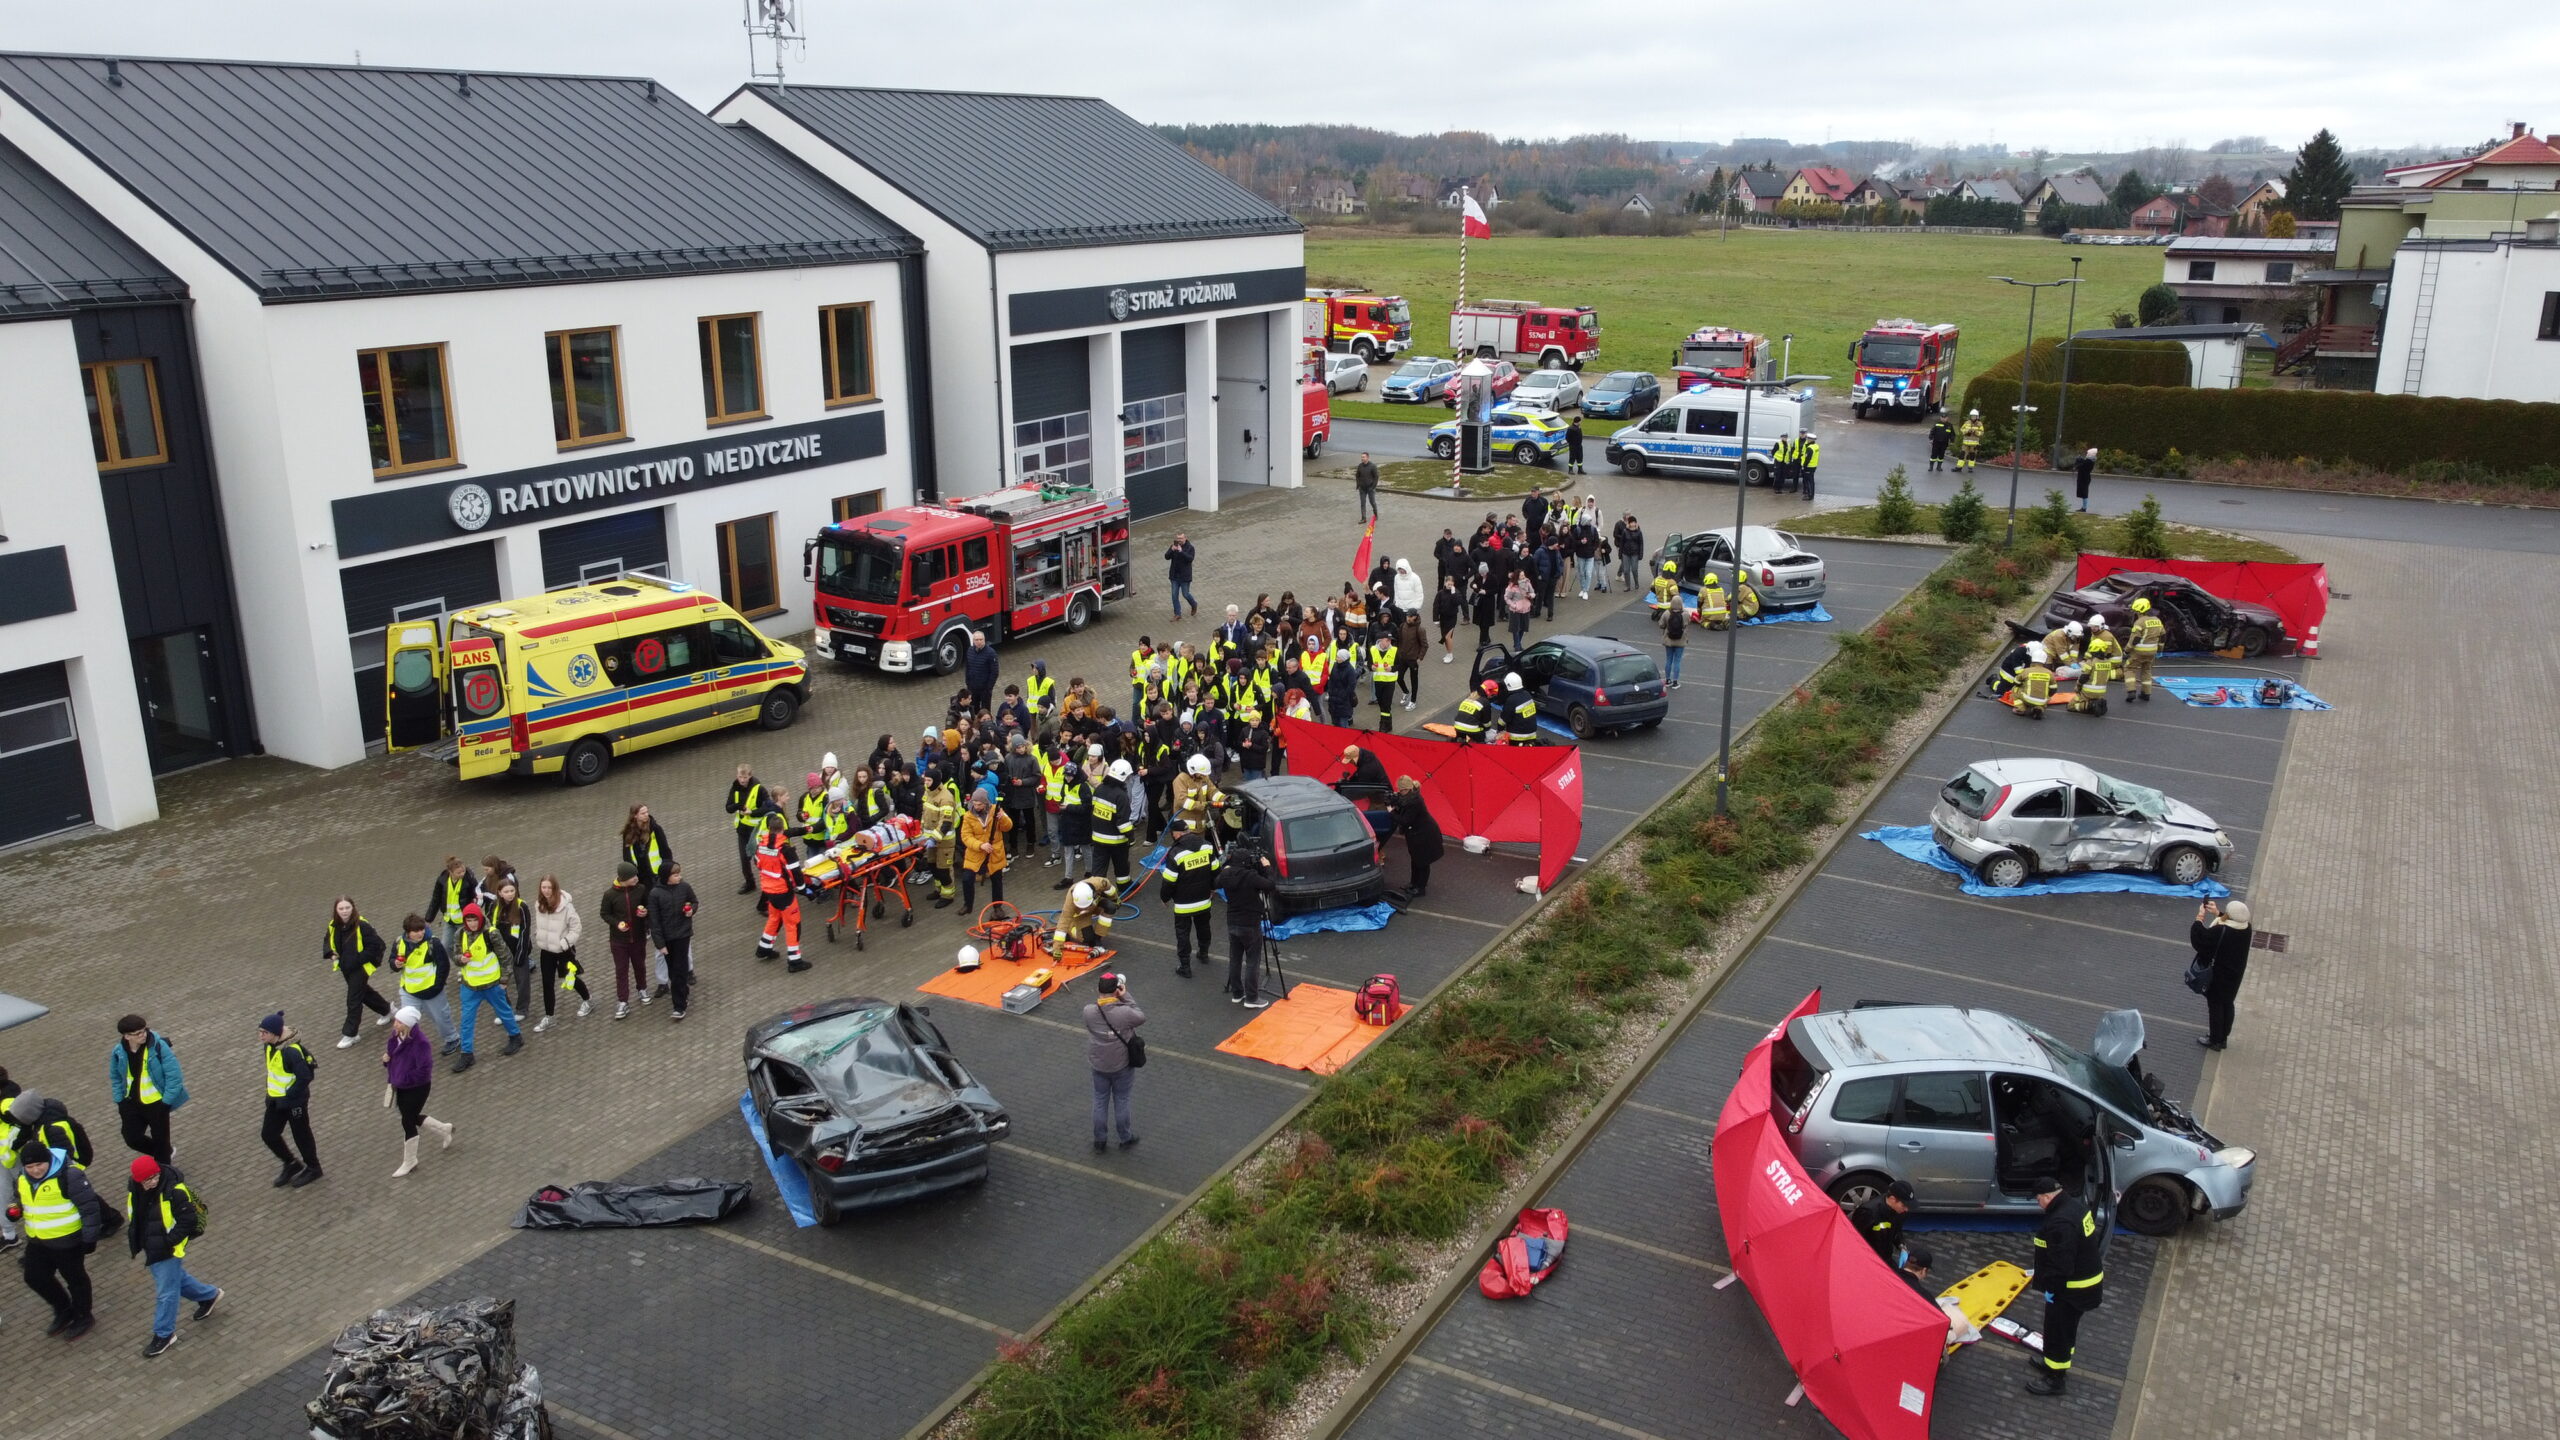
pixel 58 255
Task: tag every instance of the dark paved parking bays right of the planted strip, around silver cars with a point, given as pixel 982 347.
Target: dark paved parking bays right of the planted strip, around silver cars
pixel 1632 1339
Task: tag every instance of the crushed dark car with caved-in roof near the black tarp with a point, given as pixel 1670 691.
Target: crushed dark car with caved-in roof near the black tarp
pixel 867 1098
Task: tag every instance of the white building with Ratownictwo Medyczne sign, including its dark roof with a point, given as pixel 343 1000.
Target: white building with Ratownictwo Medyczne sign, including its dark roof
pixel 508 334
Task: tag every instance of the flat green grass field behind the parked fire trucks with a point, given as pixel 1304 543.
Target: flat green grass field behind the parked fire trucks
pixel 1821 286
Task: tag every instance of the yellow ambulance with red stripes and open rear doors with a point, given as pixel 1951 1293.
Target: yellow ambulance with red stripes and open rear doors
pixel 570 680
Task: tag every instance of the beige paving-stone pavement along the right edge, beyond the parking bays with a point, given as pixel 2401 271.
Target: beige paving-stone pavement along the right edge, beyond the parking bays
pixel 2395 1072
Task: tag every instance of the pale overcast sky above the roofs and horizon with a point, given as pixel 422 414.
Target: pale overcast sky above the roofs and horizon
pixel 2070 78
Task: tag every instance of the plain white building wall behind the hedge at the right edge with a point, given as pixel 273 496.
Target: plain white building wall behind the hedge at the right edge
pixel 2477 316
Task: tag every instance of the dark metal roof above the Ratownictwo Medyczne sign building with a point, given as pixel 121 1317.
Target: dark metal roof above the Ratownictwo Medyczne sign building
pixel 316 181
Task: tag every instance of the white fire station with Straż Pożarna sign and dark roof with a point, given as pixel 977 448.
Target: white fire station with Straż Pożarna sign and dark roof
pixel 1092 288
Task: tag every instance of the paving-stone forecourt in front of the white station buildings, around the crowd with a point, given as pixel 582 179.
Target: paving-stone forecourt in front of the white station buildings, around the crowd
pixel 214 916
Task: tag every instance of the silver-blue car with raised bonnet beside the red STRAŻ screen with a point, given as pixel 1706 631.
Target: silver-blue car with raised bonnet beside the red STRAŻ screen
pixel 1975 1108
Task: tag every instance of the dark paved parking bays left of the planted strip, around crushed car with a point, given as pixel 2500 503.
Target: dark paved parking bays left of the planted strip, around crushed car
pixel 895 1313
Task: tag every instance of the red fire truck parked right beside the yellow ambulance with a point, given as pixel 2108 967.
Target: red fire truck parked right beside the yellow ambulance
pixel 905 588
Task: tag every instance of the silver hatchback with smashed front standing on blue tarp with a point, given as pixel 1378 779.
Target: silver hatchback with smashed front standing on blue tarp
pixel 2021 819
